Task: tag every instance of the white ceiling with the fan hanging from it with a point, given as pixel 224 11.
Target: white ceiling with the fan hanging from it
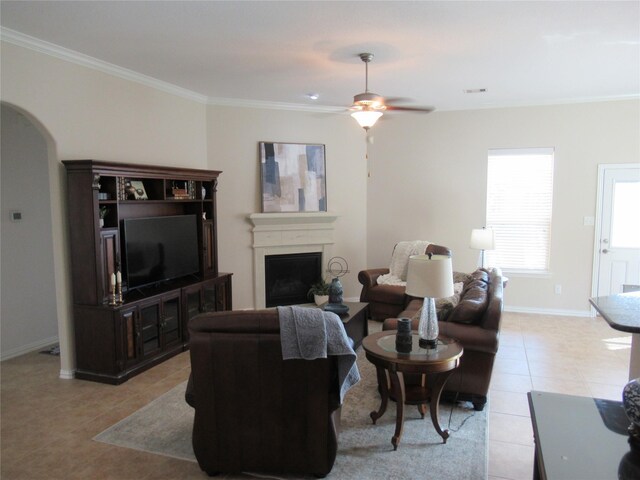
pixel 430 52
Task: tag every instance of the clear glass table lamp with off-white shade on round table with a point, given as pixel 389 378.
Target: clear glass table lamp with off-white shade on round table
pixel 429 276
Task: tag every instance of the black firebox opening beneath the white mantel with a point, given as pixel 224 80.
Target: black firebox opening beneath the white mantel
pixel 289 277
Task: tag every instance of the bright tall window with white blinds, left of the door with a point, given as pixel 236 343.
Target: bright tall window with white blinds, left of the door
pixel 519 201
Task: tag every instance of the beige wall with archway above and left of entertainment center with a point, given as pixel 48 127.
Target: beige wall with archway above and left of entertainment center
pixel 91 114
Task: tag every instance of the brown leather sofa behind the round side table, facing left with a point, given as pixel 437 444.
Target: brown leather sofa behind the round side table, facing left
pixel 475 323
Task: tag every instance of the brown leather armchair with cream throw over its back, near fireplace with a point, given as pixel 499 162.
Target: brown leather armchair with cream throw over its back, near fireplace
pixel 387 300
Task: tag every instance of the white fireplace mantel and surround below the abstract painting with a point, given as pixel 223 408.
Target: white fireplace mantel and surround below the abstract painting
pixel 287 233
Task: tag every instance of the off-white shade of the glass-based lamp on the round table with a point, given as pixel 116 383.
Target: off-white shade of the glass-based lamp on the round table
pixel 430 277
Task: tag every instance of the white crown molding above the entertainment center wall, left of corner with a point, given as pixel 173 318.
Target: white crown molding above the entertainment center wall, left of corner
pixel 47 48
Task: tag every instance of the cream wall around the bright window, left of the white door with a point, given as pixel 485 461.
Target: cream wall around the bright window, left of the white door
pixel 429 182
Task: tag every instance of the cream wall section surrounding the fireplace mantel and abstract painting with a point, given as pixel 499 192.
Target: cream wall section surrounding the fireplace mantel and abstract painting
pixel 234 134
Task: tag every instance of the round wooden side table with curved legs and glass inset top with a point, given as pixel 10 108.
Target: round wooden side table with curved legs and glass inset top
pixel 380 349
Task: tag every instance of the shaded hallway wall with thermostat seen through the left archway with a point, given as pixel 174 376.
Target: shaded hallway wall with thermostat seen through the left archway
pixel 28 298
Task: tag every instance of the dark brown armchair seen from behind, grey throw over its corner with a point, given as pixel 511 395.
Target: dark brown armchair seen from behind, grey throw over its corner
pixel 253 410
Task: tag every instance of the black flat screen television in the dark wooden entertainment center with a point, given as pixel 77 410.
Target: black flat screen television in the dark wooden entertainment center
pixel 159 249
